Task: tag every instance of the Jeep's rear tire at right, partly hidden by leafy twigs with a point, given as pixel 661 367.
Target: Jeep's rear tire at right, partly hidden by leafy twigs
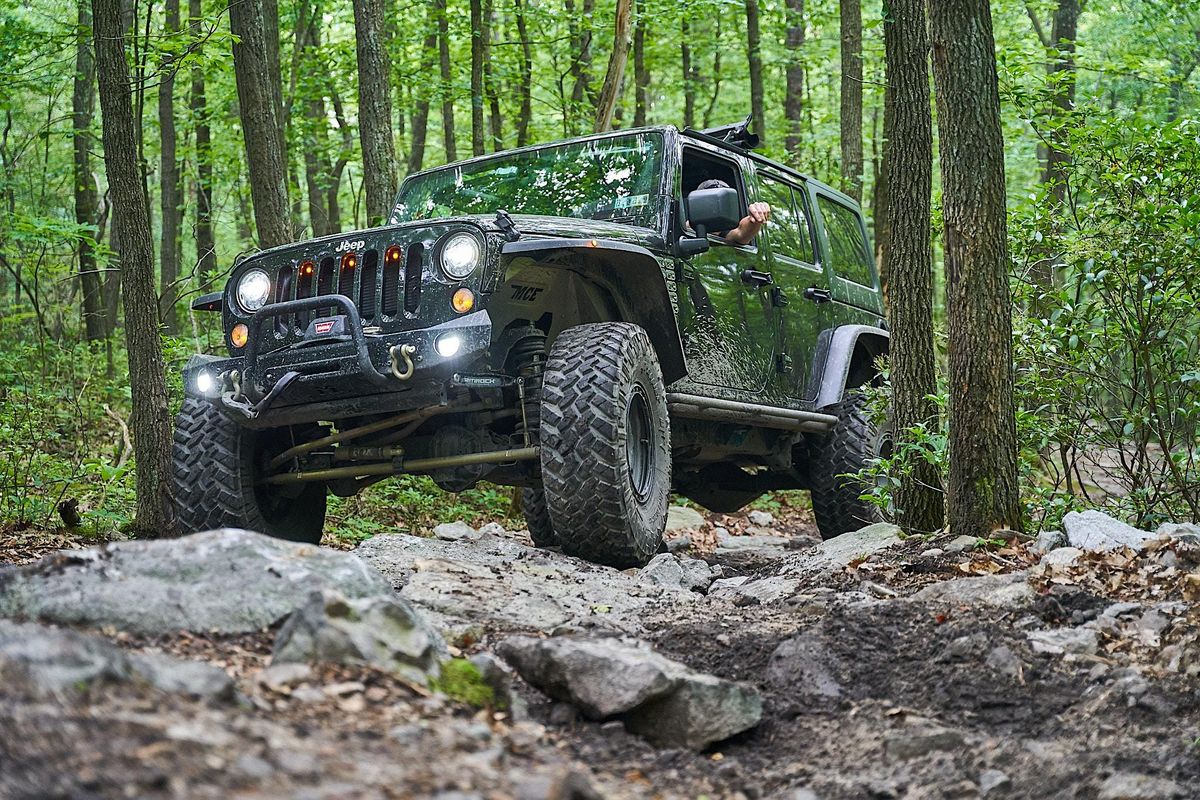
pixel 854 443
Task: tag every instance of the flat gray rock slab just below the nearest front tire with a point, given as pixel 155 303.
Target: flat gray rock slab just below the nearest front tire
pixel 502 584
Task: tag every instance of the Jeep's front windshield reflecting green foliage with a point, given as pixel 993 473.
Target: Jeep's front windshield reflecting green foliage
pixel 610 178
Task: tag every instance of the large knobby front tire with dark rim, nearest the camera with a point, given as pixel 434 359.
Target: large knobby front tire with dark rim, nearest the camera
pixel 605 441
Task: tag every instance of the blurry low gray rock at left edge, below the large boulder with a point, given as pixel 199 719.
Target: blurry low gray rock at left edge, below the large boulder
pixel 49 663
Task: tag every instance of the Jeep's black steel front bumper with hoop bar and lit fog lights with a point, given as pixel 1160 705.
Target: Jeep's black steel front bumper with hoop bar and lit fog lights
pixel 350 374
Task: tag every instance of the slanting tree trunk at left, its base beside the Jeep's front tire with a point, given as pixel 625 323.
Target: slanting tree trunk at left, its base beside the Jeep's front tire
pixel 131 226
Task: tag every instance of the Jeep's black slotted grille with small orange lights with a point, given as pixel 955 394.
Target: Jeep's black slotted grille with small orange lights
pixel 381 284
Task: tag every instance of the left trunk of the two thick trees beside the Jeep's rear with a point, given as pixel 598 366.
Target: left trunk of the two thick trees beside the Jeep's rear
pixel 910 288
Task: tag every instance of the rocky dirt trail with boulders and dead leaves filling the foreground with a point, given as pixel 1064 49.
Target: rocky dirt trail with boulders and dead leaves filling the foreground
pixel 751 661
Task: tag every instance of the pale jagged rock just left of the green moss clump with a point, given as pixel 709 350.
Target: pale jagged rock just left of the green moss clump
pixel 385 633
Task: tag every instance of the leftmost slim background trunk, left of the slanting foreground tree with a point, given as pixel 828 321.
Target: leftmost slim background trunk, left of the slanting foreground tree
pixel 83 106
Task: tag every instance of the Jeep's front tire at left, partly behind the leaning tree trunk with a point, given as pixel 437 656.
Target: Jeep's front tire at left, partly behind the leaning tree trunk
pixel 215 465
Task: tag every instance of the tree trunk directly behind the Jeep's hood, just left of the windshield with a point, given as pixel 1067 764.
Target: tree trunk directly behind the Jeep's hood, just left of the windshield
pixel 375 110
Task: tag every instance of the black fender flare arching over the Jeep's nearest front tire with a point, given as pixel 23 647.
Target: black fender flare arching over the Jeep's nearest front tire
pixel 631 274
